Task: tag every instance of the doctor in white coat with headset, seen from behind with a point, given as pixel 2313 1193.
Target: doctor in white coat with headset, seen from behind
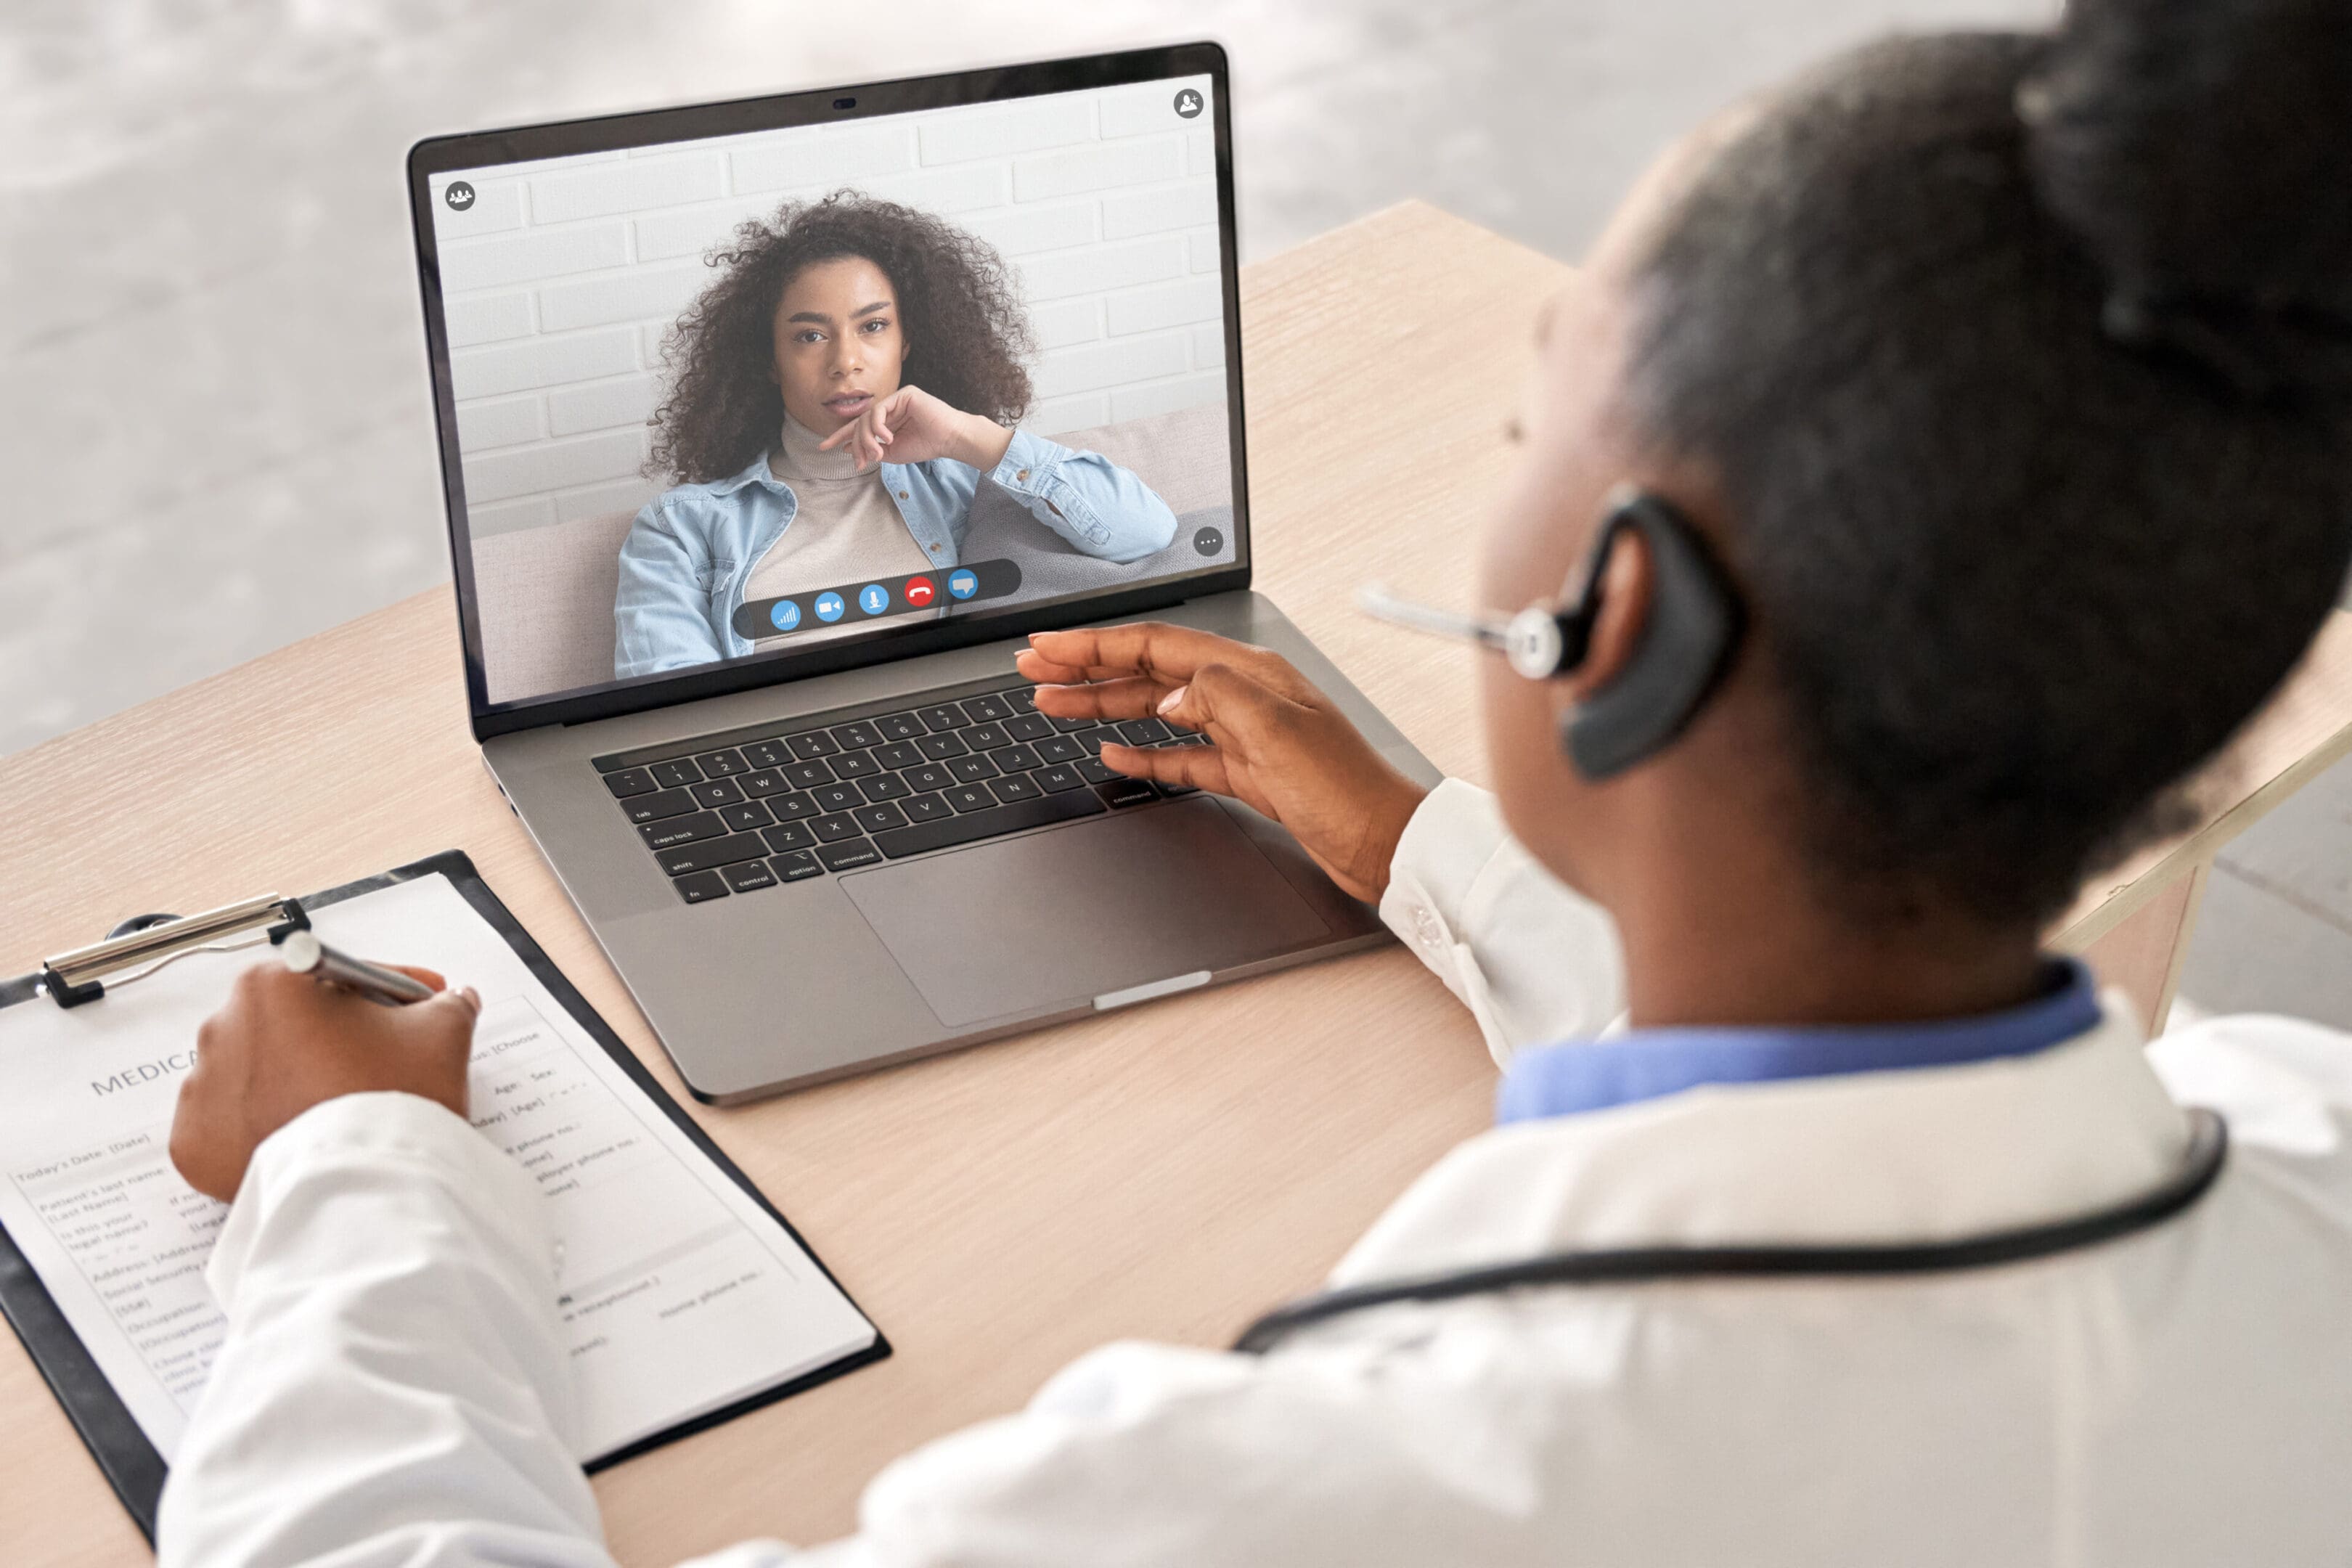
pixel 1935 464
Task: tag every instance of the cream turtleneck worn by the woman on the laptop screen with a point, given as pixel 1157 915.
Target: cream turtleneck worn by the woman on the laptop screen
pixel 848 530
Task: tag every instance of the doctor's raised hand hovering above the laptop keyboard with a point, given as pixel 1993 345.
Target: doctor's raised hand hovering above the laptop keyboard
pixel 1278 744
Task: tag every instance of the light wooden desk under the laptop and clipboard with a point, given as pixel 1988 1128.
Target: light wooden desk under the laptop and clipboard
pixel 1156 1174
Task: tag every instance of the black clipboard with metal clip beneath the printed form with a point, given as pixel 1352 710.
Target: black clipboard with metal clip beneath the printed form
pixel 109 1430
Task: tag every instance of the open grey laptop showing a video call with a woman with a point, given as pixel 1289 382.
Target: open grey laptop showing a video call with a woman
pixel 754 692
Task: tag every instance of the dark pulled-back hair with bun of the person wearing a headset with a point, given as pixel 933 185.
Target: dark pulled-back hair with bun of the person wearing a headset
pixel 2019 366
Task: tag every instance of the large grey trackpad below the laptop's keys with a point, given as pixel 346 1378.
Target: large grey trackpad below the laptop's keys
pixel 1022 925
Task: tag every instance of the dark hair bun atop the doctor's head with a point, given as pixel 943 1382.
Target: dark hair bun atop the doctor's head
pixel 2203 154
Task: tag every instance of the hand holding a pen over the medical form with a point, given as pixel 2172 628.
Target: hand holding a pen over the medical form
pixel 286 1043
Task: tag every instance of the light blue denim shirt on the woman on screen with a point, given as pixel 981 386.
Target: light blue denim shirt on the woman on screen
pixel 693 549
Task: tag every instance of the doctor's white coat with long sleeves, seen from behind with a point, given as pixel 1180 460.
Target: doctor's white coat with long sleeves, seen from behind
pixel 394 1388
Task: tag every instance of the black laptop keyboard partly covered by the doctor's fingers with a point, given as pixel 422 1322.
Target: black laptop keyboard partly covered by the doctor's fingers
pixel 834 793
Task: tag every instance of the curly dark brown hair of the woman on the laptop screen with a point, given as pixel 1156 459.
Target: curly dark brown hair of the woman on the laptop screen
pixel 958 309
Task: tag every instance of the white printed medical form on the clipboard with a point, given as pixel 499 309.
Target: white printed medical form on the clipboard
pixel 681 1292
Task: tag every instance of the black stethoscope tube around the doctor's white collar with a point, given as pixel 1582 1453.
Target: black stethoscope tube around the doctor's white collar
pixel 2203 1162
